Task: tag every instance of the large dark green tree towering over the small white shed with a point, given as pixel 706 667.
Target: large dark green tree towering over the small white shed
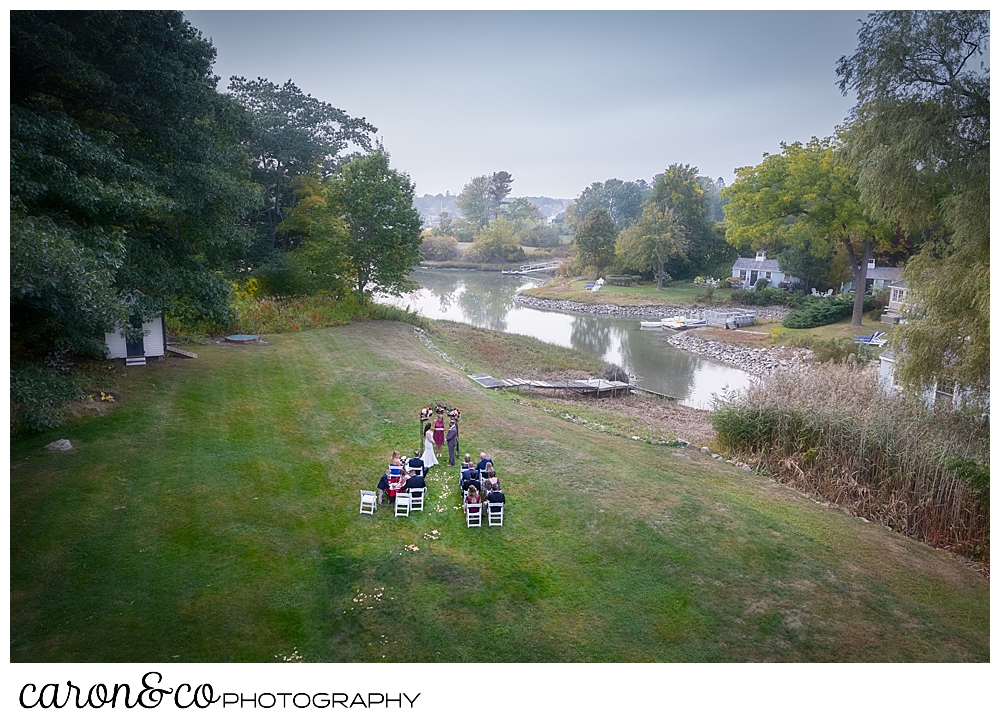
pixel 128 182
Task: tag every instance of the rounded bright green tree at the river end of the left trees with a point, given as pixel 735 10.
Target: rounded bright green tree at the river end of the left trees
pixel 383 228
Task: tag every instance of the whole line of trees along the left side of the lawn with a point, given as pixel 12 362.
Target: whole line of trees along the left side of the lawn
pixel 138 188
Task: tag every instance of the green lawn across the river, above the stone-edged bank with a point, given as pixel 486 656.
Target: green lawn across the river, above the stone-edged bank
pixel 680 293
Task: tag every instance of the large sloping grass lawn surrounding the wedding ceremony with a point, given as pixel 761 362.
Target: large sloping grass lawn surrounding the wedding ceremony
pixel 213 516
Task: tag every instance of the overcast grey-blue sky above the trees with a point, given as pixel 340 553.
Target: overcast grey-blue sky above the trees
pixel 558 99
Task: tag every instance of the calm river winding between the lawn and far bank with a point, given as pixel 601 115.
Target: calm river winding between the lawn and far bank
pixel 483 299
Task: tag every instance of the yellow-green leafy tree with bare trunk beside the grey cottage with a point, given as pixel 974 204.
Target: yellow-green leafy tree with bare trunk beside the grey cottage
pixel 806 196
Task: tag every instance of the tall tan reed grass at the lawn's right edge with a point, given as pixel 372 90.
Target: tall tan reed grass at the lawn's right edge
pixel 834 431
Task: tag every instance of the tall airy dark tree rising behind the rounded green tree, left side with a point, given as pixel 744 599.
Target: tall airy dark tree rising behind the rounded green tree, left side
pixel 293 133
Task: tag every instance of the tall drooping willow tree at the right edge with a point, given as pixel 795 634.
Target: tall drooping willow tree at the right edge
pixel 918 139
